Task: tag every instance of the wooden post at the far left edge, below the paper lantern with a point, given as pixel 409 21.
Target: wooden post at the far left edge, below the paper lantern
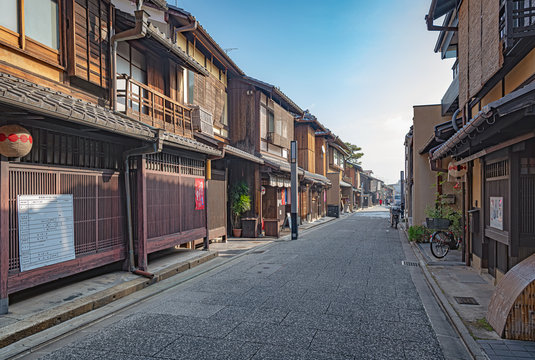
pixel 4 233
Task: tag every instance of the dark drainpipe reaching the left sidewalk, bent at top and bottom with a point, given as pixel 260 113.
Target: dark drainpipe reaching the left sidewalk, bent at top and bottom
pixel 153 148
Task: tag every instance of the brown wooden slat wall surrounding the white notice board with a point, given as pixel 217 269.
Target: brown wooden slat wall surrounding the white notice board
pixel 97 204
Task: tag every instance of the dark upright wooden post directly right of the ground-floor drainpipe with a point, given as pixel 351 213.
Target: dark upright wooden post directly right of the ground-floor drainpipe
pixel 141 213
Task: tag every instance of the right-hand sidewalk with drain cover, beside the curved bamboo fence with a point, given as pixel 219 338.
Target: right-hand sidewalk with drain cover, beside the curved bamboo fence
pixel 464 294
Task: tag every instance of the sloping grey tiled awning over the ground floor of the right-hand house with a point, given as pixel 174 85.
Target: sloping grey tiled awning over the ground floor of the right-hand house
pixel 490 114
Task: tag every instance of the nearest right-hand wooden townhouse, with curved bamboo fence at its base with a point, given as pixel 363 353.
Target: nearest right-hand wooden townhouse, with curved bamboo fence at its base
pixel 494 44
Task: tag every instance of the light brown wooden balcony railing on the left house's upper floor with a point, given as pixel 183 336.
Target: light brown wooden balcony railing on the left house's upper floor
pixel 140 102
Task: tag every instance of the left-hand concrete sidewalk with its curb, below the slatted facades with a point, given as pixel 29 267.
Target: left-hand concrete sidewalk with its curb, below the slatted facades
pixel 51 304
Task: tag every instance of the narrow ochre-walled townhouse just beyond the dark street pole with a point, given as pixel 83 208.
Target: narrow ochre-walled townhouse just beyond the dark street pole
pixel 313 182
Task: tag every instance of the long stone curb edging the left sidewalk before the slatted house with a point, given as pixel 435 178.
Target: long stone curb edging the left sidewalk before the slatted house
pixel 52 317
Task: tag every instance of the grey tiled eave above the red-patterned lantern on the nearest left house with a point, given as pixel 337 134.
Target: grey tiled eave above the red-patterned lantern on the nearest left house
pixel 41 100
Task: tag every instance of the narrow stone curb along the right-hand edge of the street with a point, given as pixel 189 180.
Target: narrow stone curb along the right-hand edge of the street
pixel 473 347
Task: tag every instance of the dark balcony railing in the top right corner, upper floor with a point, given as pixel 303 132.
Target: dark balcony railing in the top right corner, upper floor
pixel 517 20
